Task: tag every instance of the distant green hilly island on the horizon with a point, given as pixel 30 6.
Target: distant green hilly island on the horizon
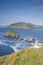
pixel 24 25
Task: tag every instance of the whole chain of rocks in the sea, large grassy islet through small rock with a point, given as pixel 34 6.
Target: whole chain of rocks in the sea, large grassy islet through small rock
pixel 11 34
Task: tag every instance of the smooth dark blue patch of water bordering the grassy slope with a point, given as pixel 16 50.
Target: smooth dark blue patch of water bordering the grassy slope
pixel 5 50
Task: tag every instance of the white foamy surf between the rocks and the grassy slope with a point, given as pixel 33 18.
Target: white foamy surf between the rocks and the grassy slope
pixel 20 45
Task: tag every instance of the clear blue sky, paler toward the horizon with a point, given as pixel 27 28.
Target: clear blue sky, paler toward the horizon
pixel 13 11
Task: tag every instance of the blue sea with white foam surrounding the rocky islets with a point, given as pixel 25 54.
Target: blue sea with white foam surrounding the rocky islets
pixel 8 46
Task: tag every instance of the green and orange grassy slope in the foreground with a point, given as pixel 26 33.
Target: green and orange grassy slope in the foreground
pixel 27 56
